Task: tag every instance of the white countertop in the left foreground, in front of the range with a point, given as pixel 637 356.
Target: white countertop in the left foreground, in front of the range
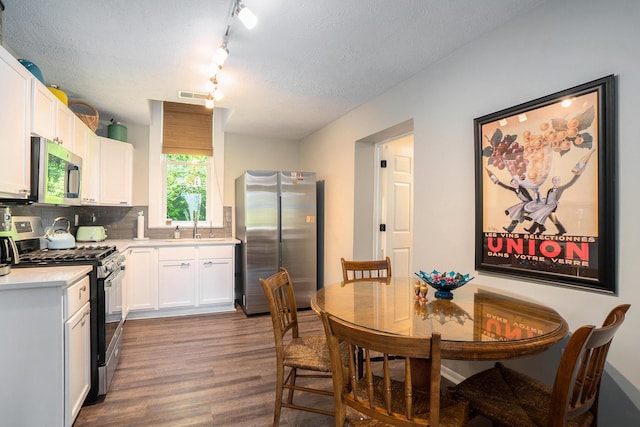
pixel 42 277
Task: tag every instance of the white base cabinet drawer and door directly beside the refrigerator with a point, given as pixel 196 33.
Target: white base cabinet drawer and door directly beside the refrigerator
pixel 215 273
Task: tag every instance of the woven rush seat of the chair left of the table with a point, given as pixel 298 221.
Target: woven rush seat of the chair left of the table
pixel 308 352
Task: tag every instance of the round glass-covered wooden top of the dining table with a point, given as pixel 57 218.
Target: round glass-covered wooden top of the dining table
pixel 479 323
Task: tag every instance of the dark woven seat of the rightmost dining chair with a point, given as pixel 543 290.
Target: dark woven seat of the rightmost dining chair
pixel 515 399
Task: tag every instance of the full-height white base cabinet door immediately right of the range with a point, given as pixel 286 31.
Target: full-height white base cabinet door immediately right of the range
pixel 142 277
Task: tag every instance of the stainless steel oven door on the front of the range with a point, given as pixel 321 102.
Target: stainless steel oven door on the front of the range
pixel 114 322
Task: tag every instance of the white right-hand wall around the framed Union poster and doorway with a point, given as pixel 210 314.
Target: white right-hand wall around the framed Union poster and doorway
pixel 558 46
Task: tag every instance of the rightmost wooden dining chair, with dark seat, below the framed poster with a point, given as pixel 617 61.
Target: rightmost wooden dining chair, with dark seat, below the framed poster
pixel 510 398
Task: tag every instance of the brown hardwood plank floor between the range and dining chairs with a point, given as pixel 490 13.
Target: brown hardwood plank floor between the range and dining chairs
pixel 205 370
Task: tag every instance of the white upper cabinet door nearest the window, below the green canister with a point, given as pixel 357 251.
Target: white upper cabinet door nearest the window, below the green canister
pixel 116 172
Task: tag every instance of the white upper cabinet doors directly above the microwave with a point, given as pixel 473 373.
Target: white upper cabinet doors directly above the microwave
pixel 50 118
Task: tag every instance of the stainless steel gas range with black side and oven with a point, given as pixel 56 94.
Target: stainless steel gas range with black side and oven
pixel 105 296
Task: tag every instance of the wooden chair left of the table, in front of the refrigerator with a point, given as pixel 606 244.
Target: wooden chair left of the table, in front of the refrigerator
pixel 293 351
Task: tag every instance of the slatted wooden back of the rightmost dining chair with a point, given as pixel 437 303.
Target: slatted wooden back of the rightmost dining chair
pixel 577 383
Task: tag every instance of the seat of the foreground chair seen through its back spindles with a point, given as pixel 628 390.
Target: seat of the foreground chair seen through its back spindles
pixel 452 413
